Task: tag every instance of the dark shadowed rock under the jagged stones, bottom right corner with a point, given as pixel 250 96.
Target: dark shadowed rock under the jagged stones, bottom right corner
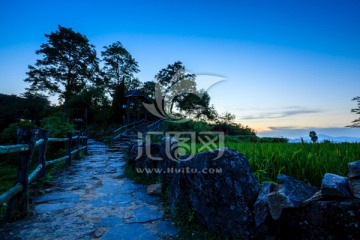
pixel 316 220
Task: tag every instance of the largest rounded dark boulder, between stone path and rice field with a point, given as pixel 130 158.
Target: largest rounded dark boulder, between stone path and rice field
pixel 223 192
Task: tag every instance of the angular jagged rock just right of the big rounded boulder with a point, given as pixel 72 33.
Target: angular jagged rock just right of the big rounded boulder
pixel 288 193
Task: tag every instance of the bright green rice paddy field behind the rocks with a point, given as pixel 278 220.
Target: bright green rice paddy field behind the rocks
pixel 307 162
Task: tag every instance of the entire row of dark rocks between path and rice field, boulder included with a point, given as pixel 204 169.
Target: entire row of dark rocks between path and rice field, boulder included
pixel 226 198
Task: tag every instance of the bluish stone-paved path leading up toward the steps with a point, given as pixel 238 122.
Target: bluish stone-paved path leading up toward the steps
pixel 93 200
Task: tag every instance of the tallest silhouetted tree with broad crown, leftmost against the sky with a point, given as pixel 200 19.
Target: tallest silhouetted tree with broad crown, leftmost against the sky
pixel 67 66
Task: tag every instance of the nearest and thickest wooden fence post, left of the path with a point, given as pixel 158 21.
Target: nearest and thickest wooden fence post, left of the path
pixel 19 204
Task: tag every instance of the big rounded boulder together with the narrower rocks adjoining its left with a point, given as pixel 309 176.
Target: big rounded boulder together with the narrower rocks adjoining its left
pixel 221 192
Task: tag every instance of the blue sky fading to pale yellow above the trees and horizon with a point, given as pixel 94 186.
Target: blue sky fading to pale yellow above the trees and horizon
pixel 289 65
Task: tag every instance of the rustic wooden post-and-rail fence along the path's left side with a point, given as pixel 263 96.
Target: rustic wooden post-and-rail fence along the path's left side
pixel 17 197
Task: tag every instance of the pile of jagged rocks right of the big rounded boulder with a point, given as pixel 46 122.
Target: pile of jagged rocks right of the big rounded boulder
pixel 330 213
